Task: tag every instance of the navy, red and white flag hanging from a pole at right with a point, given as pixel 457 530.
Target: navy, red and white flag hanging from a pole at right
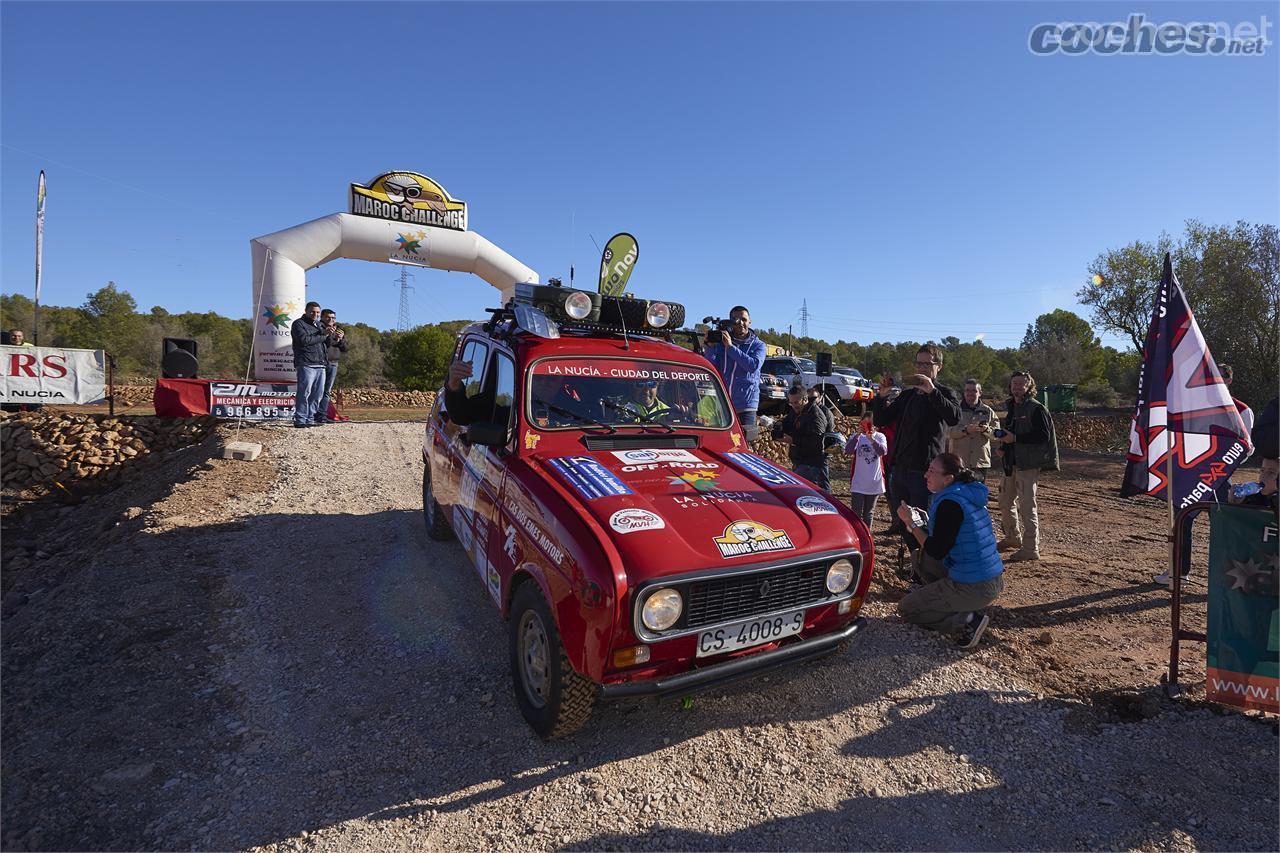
pixel 1183 409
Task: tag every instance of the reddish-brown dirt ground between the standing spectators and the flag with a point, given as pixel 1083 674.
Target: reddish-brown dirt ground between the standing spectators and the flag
pixel 1086 621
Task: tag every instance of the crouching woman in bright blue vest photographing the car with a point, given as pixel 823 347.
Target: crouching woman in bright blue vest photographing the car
pixel 959 562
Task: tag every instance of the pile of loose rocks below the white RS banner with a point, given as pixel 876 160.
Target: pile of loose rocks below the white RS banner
pixel 39 448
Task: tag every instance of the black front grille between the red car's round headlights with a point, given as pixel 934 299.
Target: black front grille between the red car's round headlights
pixel 728 599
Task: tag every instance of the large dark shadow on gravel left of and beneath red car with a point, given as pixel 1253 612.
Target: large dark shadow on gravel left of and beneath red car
pixel 318 669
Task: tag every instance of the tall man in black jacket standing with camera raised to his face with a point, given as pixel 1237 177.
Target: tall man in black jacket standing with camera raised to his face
pixel 922 414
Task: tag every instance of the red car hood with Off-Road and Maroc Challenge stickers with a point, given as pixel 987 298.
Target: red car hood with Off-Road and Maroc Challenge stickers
pixel 673 512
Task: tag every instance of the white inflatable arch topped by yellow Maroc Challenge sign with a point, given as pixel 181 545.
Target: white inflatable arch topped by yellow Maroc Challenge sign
pixel 397 218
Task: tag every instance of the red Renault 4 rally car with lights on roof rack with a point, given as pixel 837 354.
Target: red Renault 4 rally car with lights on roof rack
pixel 595 473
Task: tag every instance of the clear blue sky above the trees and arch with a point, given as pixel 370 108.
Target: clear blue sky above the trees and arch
pixel 911 171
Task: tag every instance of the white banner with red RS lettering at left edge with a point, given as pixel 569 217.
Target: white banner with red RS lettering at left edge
pixel 52 376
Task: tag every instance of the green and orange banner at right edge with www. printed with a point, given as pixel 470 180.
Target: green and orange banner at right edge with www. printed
pixel 1244 618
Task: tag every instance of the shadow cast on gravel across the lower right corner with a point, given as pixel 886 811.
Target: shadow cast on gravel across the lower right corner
pixel 1021 783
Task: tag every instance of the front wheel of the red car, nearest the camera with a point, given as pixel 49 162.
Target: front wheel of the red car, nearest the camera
pixel 555 700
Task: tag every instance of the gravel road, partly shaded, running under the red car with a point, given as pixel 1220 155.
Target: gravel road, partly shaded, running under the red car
pixel 273 655
